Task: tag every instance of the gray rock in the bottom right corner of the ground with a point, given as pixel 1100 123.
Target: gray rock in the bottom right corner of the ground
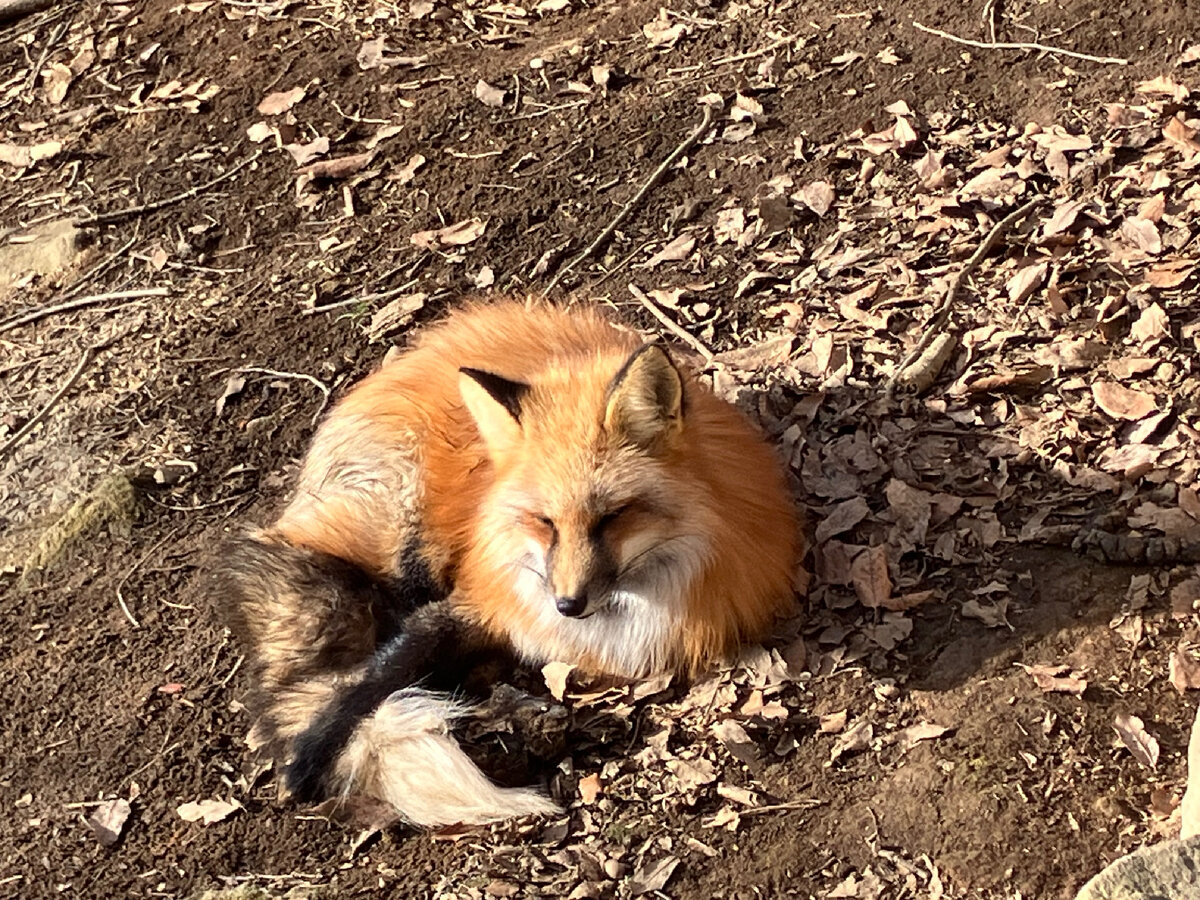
pixel 1165 872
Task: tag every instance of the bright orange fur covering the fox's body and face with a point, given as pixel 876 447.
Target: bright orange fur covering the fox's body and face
pixel 401 460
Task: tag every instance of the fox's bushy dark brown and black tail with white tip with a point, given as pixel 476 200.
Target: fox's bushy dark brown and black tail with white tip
pixel 338 667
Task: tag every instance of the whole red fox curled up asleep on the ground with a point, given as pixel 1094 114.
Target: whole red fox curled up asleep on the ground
pixel 527 478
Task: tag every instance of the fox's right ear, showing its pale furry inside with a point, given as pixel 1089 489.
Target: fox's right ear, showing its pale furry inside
pixel 645 404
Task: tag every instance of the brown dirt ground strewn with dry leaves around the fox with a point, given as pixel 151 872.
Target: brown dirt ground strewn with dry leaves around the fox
pixel 897 743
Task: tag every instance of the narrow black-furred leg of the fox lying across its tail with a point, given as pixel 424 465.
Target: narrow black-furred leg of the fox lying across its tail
pixel 434 649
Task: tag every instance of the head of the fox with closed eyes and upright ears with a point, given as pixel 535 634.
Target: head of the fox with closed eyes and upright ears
pixel 589 499
